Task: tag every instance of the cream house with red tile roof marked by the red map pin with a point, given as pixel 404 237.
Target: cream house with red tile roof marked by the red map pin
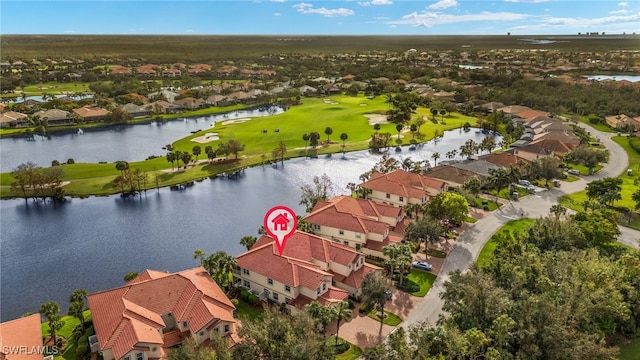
pixel 310 268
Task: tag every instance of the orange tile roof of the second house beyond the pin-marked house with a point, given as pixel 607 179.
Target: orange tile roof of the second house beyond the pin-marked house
pixel 404 183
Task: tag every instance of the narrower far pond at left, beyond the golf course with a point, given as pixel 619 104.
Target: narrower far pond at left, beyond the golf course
pixel 130 142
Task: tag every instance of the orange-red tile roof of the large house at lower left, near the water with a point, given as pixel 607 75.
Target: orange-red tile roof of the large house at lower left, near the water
pixel 131 314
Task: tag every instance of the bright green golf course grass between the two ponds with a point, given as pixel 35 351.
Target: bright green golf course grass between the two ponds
pixel 313 115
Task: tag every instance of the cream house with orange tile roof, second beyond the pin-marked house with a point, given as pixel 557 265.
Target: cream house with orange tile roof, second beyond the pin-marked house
pixel 399 188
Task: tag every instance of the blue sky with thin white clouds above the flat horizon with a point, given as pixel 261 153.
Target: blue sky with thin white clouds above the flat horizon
pixel 357 17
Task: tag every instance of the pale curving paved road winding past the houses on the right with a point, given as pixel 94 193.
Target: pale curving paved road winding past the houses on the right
pixel 471 241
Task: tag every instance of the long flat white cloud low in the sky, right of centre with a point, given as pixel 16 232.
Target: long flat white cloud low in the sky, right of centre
pixel 429 19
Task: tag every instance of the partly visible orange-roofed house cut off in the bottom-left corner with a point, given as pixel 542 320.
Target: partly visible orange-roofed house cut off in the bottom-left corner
pixel 21 339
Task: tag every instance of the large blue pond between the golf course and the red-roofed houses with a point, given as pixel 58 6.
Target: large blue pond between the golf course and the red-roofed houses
pixel 47 251
